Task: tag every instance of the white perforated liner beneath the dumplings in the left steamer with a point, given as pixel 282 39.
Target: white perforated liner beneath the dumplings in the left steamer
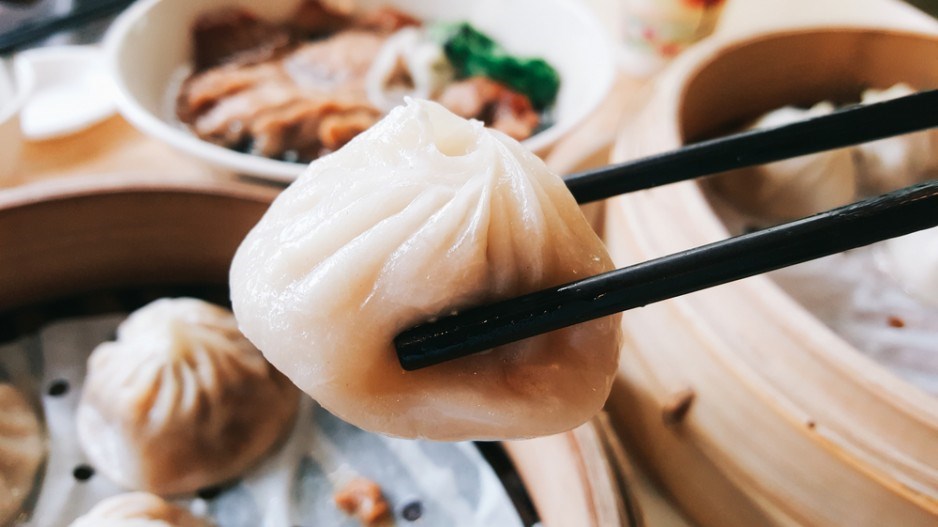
pixel 437 483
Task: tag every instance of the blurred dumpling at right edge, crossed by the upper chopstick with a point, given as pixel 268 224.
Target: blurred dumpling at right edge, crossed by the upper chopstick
pixel 896 162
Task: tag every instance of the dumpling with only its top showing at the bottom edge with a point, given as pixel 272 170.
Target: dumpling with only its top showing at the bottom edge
pixel 138 509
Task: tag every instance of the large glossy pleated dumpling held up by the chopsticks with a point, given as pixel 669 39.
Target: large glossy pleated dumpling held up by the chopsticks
pixel 421 215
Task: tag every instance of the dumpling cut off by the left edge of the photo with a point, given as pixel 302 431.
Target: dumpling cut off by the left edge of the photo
pixel 21 451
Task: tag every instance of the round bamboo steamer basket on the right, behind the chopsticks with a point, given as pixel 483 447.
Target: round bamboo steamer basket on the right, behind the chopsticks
pixel 744 407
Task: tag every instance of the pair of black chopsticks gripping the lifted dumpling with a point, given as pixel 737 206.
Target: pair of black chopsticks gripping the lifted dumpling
pixel 890 215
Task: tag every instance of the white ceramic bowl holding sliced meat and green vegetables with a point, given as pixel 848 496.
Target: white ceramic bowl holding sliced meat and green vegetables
pixel 150 44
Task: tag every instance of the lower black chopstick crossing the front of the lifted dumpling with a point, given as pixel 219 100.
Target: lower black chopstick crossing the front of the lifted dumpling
pixel 480 328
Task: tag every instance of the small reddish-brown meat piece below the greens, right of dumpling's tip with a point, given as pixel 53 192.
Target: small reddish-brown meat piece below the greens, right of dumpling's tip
pixel 492 103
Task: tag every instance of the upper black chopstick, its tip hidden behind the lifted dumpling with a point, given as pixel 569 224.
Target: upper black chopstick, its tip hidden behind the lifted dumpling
pixel 846 127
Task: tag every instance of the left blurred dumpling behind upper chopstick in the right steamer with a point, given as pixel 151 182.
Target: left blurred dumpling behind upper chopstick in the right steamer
pixel 794 187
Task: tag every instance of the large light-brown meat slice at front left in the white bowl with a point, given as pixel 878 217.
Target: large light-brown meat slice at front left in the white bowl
pixel 306 103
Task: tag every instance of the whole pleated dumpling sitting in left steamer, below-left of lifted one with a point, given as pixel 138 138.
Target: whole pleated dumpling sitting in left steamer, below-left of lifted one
pixel 181 400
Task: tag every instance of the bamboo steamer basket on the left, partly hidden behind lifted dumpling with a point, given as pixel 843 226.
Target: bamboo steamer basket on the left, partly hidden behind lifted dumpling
pixel 69 237
